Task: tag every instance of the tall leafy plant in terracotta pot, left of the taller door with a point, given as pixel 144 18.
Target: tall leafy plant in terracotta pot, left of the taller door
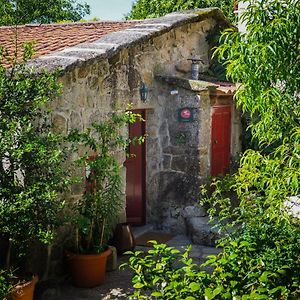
pixel 99 208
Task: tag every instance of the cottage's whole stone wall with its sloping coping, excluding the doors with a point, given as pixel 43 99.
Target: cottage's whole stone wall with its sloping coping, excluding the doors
pixel 106 75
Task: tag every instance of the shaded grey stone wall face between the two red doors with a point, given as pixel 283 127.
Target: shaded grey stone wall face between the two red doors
pixel 173 167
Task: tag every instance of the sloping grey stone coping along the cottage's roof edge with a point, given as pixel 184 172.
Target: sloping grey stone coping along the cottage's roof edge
pixel 112 43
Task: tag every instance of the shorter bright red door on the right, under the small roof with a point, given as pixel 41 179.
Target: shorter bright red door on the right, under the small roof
pixel 220 140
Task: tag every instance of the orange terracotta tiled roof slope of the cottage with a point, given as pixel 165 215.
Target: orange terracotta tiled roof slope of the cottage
pixel 53 37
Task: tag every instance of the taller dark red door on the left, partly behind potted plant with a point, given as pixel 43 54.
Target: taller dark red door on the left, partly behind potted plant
pixel 135 175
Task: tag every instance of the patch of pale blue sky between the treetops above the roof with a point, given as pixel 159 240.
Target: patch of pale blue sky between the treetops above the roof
pixel 108 9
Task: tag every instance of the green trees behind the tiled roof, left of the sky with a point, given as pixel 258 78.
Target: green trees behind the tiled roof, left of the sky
pixel 32 11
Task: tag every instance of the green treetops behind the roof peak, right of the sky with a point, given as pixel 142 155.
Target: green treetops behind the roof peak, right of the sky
pixel 142 9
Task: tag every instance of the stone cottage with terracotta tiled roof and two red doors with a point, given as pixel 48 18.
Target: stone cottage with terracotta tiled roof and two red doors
pixel 192 126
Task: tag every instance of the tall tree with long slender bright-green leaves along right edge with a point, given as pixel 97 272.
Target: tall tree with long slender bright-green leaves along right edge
pixel 265 60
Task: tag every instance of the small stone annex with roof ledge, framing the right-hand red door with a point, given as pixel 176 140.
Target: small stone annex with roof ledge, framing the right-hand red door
pixel 179 153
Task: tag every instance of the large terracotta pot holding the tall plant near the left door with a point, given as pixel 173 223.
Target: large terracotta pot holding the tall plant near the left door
pixel 88 270
